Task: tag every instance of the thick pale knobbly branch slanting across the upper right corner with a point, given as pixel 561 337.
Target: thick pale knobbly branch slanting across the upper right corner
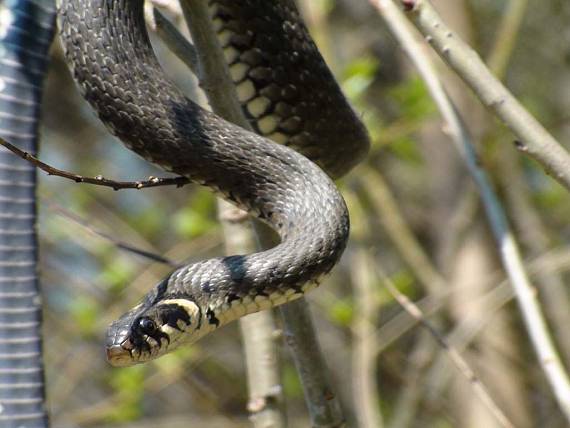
pixel 533 138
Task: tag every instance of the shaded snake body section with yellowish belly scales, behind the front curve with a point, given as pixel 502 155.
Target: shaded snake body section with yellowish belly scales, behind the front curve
pixel 286 90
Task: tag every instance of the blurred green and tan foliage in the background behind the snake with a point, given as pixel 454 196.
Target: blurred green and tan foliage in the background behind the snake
pixel 88 280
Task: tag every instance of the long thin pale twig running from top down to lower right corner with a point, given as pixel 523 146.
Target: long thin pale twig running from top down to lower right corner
pixel 511 259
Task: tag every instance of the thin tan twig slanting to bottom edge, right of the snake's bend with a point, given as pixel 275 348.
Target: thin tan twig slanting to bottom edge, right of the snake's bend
pixel 453 354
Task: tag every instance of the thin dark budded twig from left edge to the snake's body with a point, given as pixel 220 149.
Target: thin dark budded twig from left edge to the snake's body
pixel 98 180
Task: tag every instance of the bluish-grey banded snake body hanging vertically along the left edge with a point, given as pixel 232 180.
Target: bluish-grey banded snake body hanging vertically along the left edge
pixel 24 44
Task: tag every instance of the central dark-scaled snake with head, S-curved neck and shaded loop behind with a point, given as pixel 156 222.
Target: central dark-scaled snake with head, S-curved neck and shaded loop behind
pixel 307 135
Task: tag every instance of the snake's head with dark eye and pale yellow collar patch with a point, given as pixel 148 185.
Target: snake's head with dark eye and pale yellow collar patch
pixel 148 331
